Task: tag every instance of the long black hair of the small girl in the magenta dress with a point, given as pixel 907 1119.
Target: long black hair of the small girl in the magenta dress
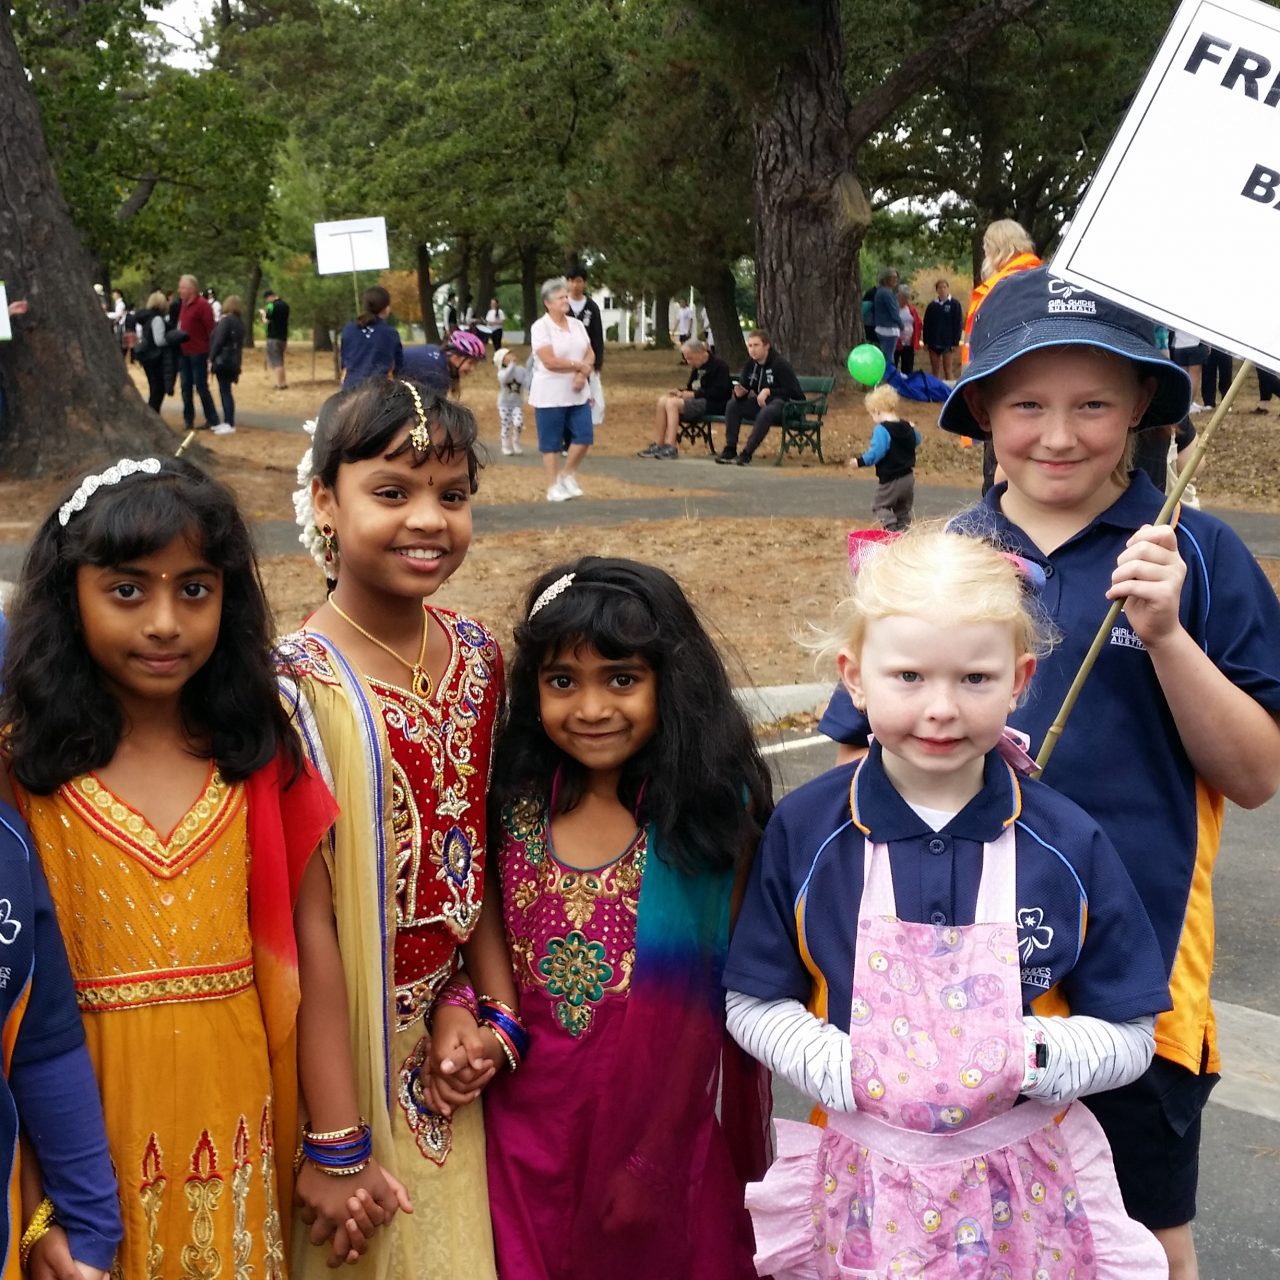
pixel 701 779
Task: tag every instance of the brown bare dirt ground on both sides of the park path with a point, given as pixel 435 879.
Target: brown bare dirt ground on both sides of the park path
pixel 762 584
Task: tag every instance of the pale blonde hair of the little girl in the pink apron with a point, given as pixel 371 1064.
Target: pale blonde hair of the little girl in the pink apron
pixel 940 577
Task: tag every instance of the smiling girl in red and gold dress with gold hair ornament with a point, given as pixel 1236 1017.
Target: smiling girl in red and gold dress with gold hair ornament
pixel 405 697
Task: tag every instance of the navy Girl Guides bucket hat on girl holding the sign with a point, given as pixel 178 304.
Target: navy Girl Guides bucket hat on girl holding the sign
pixel 1034 310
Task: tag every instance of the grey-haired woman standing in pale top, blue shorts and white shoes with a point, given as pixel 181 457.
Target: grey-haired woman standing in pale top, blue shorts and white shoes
pixel 559 392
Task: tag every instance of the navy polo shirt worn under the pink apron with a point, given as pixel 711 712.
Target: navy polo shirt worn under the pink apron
pixel 1085 941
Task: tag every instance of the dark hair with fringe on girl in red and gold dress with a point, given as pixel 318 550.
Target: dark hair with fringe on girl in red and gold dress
pixel 363 423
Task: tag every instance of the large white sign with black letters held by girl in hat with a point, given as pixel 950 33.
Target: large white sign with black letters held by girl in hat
pixel 1182 221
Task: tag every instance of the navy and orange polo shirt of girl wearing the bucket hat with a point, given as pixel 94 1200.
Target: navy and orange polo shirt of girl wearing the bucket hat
pixel 1121 757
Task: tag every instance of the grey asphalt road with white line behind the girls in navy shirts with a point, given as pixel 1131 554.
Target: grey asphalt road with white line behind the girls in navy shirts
pixel 1238 1227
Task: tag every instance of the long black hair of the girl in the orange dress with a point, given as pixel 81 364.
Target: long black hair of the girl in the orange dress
pixel 62 720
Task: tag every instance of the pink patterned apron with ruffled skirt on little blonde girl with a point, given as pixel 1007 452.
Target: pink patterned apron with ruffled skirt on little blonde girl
pixel 938 1173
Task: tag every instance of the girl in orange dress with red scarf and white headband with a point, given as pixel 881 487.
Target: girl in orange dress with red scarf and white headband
pixel 175 817
